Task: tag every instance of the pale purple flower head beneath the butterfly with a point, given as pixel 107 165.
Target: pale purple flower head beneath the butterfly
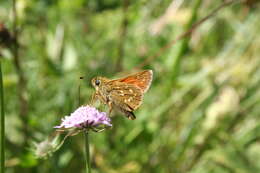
pixel 83 117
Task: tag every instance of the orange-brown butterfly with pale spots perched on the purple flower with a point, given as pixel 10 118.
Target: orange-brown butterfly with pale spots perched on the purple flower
pixel 125 94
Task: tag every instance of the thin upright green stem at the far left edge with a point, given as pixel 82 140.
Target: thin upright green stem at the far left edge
pixel 2 121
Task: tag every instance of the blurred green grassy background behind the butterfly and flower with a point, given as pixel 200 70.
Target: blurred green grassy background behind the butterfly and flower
pixel 200 115
